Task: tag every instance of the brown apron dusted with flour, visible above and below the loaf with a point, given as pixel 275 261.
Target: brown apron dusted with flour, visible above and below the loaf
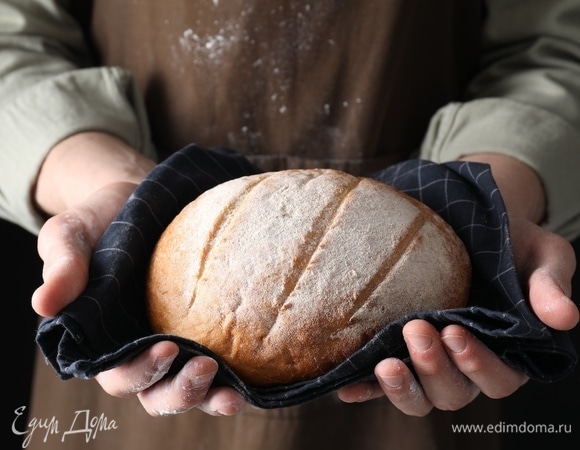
pixel 347 85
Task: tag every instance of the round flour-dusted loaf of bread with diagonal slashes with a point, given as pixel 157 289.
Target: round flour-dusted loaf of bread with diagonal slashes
pixel 284 275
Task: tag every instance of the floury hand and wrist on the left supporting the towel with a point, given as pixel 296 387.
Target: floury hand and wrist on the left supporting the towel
pixel 82 206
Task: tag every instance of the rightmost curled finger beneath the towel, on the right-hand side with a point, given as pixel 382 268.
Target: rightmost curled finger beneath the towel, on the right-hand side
pixel 481 365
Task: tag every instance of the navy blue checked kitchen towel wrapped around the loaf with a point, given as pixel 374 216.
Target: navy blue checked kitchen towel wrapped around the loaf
pixel 107 325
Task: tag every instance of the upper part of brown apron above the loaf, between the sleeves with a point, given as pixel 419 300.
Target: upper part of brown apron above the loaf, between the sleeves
pixel 347 85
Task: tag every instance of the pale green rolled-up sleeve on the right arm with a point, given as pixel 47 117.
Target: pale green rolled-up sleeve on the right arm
pixel 525 101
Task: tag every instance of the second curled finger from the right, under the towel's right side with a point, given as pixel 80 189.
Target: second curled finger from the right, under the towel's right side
pixel 443 384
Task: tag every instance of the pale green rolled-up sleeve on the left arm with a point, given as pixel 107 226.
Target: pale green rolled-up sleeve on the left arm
pixel 49 91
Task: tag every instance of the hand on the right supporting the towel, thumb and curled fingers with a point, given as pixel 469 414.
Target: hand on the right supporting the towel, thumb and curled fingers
pixel 452 366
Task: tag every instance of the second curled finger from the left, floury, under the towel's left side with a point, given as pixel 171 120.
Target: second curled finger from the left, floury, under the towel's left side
pixel 181 392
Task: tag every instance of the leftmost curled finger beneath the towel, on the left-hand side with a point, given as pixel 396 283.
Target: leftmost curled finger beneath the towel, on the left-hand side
pixel 140 373
